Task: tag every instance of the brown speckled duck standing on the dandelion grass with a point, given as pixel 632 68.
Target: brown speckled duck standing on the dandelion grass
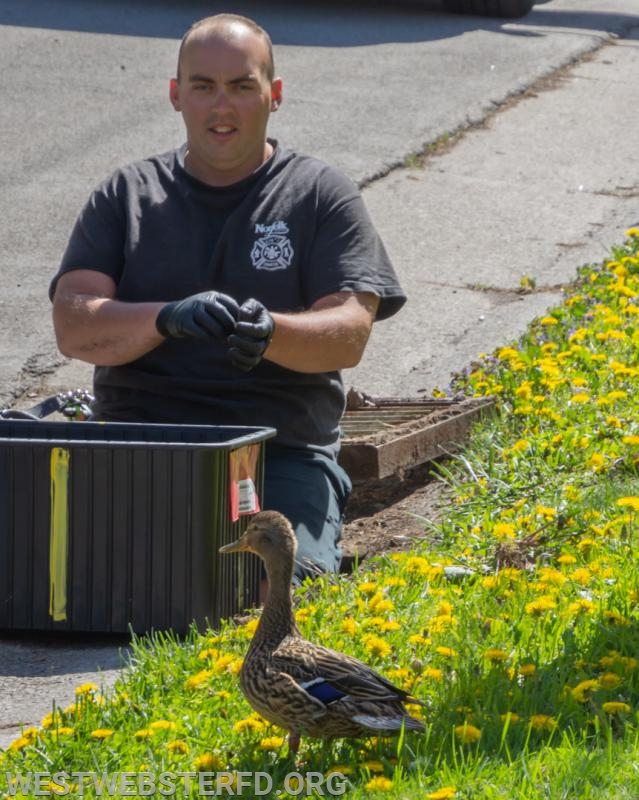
pixel 300 686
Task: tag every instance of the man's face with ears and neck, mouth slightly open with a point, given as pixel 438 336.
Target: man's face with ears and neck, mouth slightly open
pixel 225 99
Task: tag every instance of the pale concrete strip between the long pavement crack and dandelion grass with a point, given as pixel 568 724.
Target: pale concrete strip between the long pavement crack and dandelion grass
pixel 549 183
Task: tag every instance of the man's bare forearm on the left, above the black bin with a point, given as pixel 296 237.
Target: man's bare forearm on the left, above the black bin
pixel 103 331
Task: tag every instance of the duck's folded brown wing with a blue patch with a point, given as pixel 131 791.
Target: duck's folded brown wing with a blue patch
pixel 329 675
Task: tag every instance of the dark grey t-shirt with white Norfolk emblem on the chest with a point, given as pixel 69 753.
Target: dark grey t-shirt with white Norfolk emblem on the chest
pixel 292 232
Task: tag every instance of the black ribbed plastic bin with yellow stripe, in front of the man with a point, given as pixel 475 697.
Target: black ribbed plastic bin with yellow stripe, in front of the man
pixel 107 527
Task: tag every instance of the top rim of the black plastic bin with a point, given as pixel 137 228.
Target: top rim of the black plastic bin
pixel 239 435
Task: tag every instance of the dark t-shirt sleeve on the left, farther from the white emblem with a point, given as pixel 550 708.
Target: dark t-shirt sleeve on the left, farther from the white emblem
pixel 97 240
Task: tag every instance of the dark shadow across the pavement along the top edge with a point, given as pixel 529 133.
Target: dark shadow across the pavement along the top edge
pixel 361 22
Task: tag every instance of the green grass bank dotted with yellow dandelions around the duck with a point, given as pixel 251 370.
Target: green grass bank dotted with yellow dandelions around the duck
pixel 527 660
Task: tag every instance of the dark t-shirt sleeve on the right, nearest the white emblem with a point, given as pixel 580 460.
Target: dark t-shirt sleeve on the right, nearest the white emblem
pixel 348 253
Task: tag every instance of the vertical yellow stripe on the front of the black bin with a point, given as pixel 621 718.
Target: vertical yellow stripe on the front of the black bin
pixel 58 543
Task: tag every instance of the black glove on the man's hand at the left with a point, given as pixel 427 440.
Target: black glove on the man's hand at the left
pixel 208 315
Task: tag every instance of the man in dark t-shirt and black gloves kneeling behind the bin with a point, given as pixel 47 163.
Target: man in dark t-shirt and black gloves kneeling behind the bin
pixel 228 282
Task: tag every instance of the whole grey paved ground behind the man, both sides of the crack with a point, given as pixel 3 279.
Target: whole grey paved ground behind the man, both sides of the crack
pixel 542 178
